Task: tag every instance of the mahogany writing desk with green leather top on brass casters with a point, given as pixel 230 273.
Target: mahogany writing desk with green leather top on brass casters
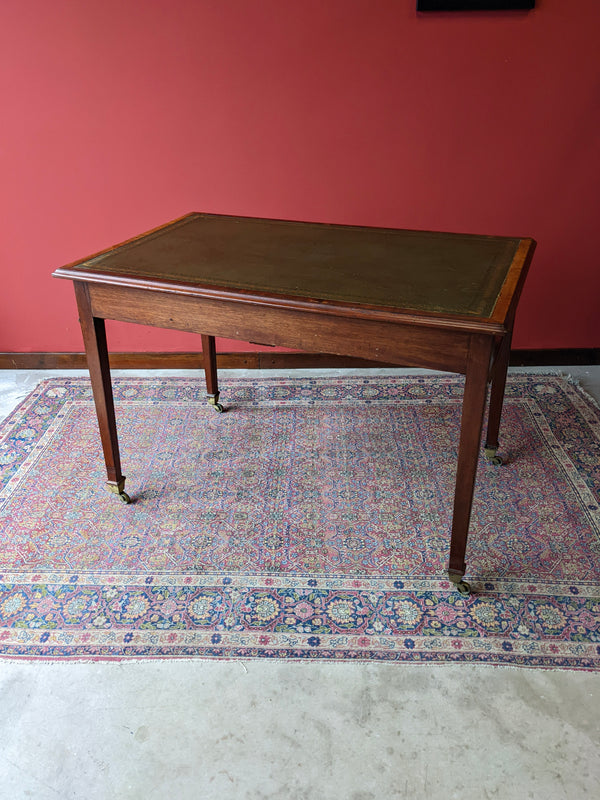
pixel 413 298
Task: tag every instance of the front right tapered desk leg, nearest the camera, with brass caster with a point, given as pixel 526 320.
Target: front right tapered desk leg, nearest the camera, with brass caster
pixel 474 400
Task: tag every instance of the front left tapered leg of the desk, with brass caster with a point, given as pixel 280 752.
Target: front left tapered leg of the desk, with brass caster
pixel 94 337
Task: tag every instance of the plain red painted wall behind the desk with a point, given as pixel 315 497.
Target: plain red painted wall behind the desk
pixel 118 116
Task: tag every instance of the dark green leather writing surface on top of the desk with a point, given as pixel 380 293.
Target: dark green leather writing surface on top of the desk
pixel 386 268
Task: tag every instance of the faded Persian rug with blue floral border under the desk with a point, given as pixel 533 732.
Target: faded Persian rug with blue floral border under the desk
pixel 309 521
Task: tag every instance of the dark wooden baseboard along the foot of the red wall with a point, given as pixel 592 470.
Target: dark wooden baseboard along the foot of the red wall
pixel 266 360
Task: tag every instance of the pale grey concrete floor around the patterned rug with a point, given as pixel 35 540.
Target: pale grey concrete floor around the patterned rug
pixel 295 731
